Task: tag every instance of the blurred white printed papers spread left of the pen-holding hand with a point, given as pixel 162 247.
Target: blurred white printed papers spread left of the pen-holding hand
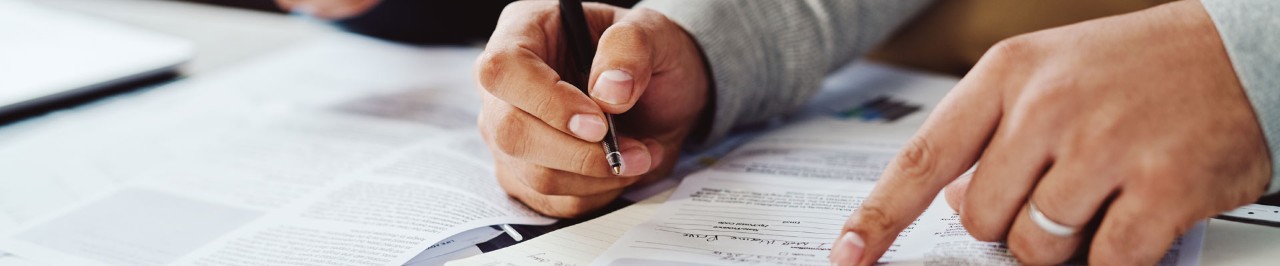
pixel 342 152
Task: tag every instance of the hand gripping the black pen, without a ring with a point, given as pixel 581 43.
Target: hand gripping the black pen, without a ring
pixel 546 134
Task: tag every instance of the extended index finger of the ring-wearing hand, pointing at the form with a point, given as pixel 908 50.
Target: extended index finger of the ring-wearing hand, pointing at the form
pixel 947 146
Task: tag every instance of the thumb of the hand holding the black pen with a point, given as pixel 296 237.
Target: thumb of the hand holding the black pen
pixel 623 66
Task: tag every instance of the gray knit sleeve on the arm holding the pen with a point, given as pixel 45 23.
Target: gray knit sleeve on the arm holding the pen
pixel 769 57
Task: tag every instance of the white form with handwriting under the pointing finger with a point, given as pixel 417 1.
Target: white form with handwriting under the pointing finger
pixel 784 199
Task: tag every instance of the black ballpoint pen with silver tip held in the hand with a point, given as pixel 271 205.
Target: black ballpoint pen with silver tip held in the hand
pixel 577 68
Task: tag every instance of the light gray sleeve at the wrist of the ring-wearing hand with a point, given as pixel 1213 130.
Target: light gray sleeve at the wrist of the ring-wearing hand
pixel 1251 33
